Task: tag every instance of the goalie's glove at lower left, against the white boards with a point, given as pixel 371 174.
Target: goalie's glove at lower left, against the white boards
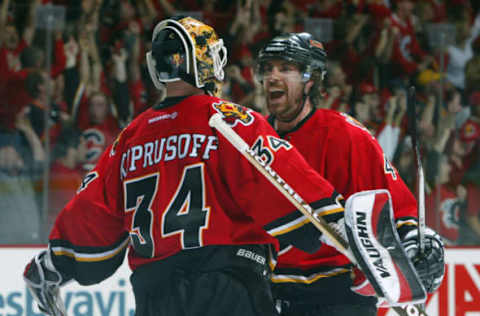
pixel 44 281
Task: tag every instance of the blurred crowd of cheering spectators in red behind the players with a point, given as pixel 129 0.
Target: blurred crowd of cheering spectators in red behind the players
pixel 64 116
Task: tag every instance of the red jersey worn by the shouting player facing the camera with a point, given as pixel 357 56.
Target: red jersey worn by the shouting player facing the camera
pixel 343 151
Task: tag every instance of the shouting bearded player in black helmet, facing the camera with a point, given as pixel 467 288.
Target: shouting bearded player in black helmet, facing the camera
pixel 291 68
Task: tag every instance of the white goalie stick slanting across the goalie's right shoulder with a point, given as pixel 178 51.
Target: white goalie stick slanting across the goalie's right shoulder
pixel 288 192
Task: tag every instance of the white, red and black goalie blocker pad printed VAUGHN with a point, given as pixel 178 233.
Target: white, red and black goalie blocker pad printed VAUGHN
pixel 376 245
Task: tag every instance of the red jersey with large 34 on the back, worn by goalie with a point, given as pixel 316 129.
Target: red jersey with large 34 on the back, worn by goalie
pixel 170 182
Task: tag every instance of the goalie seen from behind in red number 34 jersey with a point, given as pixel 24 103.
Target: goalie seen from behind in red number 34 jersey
pixel 182 200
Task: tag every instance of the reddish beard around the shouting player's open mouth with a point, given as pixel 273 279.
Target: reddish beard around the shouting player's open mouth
pixel 284 106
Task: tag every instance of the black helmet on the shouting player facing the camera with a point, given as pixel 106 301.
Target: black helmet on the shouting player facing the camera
pixel 298 48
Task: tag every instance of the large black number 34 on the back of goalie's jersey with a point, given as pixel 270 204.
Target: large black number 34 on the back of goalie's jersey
pixel 186 214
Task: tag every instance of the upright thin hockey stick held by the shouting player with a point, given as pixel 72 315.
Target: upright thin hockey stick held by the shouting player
pixel 412 127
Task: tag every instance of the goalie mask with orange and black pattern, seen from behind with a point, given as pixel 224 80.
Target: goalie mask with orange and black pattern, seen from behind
pixel 188 50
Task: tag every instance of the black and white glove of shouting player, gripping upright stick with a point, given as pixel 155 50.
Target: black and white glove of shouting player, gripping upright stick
pixel 430 264
